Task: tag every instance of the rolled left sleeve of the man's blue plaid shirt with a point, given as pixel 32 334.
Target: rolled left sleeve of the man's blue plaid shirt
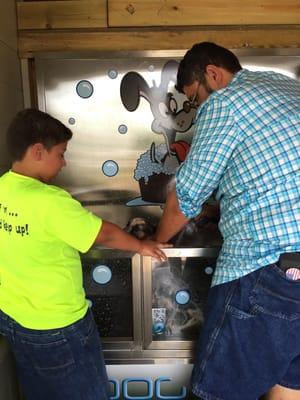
pixel 214 140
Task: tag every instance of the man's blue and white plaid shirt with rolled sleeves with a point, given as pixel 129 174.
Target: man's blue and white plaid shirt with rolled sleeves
pixel 246 147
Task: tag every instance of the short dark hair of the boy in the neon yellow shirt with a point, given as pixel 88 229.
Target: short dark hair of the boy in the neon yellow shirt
pixel 32 126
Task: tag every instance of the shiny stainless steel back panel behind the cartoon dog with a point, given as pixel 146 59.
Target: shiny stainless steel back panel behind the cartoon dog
pixel 108 138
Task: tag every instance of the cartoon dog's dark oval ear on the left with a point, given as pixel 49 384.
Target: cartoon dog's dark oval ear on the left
pixel 132 87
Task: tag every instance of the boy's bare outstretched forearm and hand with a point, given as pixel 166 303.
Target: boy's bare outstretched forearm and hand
pixel 111 235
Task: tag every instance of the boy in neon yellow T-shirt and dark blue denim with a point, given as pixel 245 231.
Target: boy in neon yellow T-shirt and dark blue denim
pixel 43 310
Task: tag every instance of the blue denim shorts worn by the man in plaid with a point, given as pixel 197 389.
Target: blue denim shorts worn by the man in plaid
pixel 251 338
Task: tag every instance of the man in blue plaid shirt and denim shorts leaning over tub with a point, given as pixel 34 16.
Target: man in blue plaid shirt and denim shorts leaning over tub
pixel 246 149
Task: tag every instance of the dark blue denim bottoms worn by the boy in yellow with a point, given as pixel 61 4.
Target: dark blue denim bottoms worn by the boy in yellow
pixel 58 364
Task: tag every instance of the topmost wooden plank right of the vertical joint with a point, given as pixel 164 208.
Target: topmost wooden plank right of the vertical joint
pixel 202 12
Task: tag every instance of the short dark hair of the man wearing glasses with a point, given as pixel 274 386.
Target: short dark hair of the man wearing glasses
pixel 193 65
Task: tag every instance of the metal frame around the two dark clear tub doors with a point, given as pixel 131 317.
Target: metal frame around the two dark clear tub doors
pixel 142 349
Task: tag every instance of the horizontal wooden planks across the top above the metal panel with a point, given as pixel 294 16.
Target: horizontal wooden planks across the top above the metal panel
pixel 75 25
